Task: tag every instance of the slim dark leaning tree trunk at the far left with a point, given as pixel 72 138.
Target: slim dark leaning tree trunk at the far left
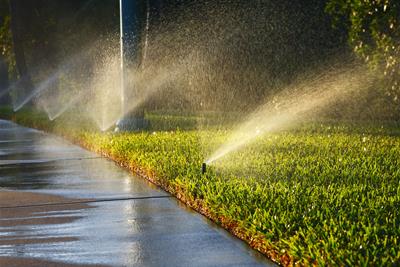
pixel 16 9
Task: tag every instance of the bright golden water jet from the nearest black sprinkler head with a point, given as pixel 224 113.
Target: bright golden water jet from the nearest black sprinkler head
pixel 306 99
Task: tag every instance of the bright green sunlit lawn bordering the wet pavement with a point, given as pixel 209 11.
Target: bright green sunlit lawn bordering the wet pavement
pixel 324 194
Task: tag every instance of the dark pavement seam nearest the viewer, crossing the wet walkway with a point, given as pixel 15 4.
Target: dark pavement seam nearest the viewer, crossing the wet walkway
pixel 85 202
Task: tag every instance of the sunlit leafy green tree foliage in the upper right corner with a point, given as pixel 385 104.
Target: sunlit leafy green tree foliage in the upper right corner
pixel 374 34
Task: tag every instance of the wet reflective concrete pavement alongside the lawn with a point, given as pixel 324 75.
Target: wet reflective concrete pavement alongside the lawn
pixel 60 203
